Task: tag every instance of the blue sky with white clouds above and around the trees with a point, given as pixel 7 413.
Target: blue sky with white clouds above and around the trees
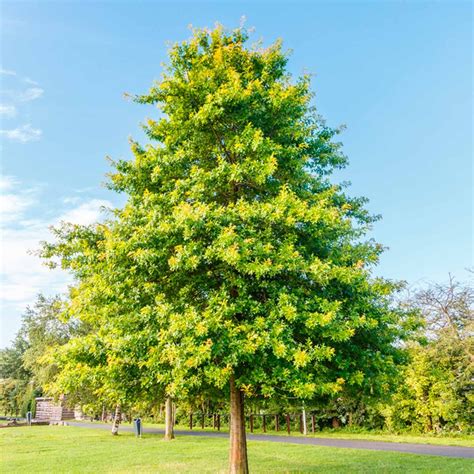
pixel 398 74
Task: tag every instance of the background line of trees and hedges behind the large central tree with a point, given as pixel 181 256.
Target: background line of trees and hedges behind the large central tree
pixel 430 392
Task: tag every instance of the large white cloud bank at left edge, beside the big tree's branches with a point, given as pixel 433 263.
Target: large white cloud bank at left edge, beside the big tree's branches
pixel 23 275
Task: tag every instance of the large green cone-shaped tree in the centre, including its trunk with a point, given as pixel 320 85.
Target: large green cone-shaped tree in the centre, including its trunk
pixel 238 262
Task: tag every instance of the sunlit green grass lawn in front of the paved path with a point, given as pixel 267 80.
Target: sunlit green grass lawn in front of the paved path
pixel 61 449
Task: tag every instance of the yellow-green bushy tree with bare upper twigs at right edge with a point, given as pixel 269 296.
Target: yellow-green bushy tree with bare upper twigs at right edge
pixel 437 394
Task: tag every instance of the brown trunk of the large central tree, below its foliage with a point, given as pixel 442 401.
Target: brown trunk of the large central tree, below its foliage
pixel 238 463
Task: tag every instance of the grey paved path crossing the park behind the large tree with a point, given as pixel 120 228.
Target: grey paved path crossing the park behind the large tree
pixel 430 449
